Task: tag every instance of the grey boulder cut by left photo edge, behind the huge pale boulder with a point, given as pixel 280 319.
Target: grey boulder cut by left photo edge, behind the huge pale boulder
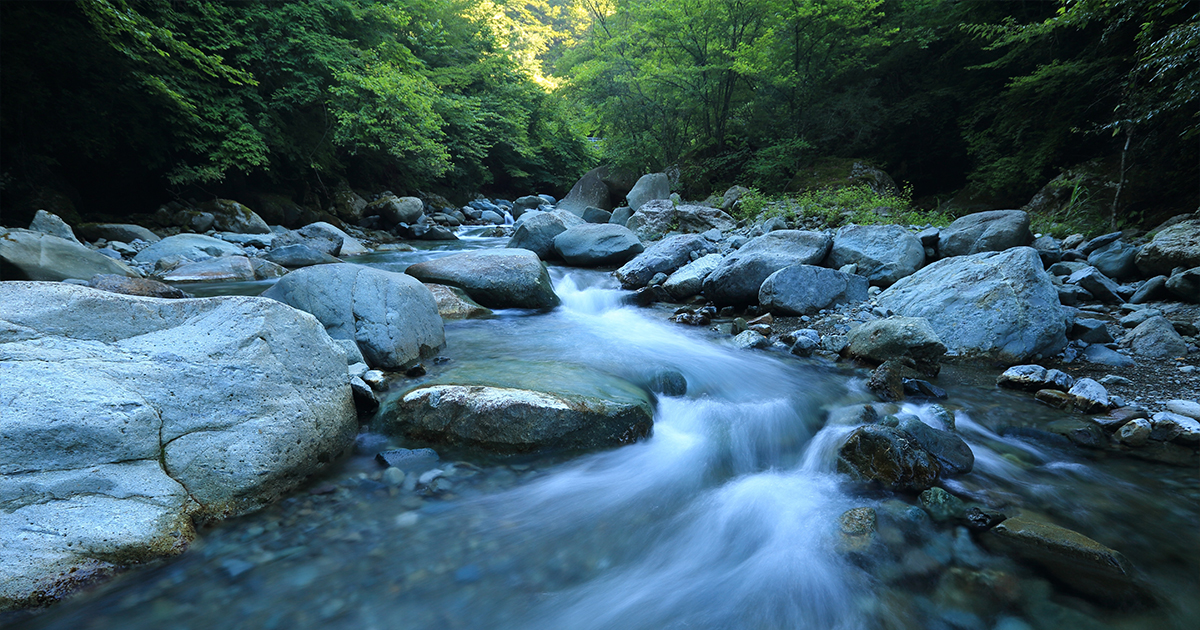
pixel 28 255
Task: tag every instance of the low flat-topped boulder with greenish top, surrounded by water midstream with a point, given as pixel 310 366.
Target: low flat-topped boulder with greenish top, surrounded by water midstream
pixel 523 407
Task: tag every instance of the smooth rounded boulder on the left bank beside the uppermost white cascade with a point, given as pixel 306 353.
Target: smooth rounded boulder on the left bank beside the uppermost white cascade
pixel 496 279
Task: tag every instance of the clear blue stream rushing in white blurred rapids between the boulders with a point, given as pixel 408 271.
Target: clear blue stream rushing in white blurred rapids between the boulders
pixel 727 518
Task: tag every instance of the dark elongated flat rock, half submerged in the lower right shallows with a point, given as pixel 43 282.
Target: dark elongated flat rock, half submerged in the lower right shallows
pixel 1079 562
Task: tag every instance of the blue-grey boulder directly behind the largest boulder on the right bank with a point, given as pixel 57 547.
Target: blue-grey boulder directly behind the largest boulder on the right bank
pixel 884 254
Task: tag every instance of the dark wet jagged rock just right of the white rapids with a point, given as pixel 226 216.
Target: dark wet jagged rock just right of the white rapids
pixel 884 455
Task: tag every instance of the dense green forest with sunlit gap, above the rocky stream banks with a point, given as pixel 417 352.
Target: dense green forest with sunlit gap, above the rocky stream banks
pixel 509 97
